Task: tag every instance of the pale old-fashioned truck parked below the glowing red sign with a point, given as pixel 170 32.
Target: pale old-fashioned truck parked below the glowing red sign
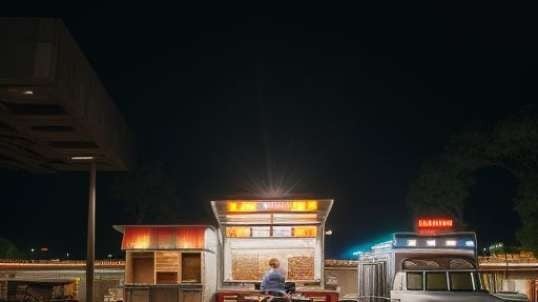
pixel 423 267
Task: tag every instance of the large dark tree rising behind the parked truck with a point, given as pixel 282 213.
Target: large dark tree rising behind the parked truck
pixel 443 183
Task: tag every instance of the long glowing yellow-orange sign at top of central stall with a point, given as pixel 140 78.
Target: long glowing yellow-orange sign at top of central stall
pixel 273 206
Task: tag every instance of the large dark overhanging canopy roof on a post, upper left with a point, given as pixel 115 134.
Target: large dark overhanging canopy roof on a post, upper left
pixel 53 107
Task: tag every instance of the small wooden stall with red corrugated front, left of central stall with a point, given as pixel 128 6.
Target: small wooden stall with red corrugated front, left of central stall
pixel 170 263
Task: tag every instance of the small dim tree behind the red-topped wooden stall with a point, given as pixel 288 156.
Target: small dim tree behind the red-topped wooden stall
pixel 148 193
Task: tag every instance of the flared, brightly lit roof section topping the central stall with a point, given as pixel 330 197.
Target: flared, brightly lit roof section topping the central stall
pixel 271 211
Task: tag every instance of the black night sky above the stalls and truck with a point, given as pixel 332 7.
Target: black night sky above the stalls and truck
pixel 340 102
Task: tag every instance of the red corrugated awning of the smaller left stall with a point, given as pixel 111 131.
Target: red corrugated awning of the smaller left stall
pixel 162 237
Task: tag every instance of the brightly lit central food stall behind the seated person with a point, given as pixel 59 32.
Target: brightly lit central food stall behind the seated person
pixel 256 230
